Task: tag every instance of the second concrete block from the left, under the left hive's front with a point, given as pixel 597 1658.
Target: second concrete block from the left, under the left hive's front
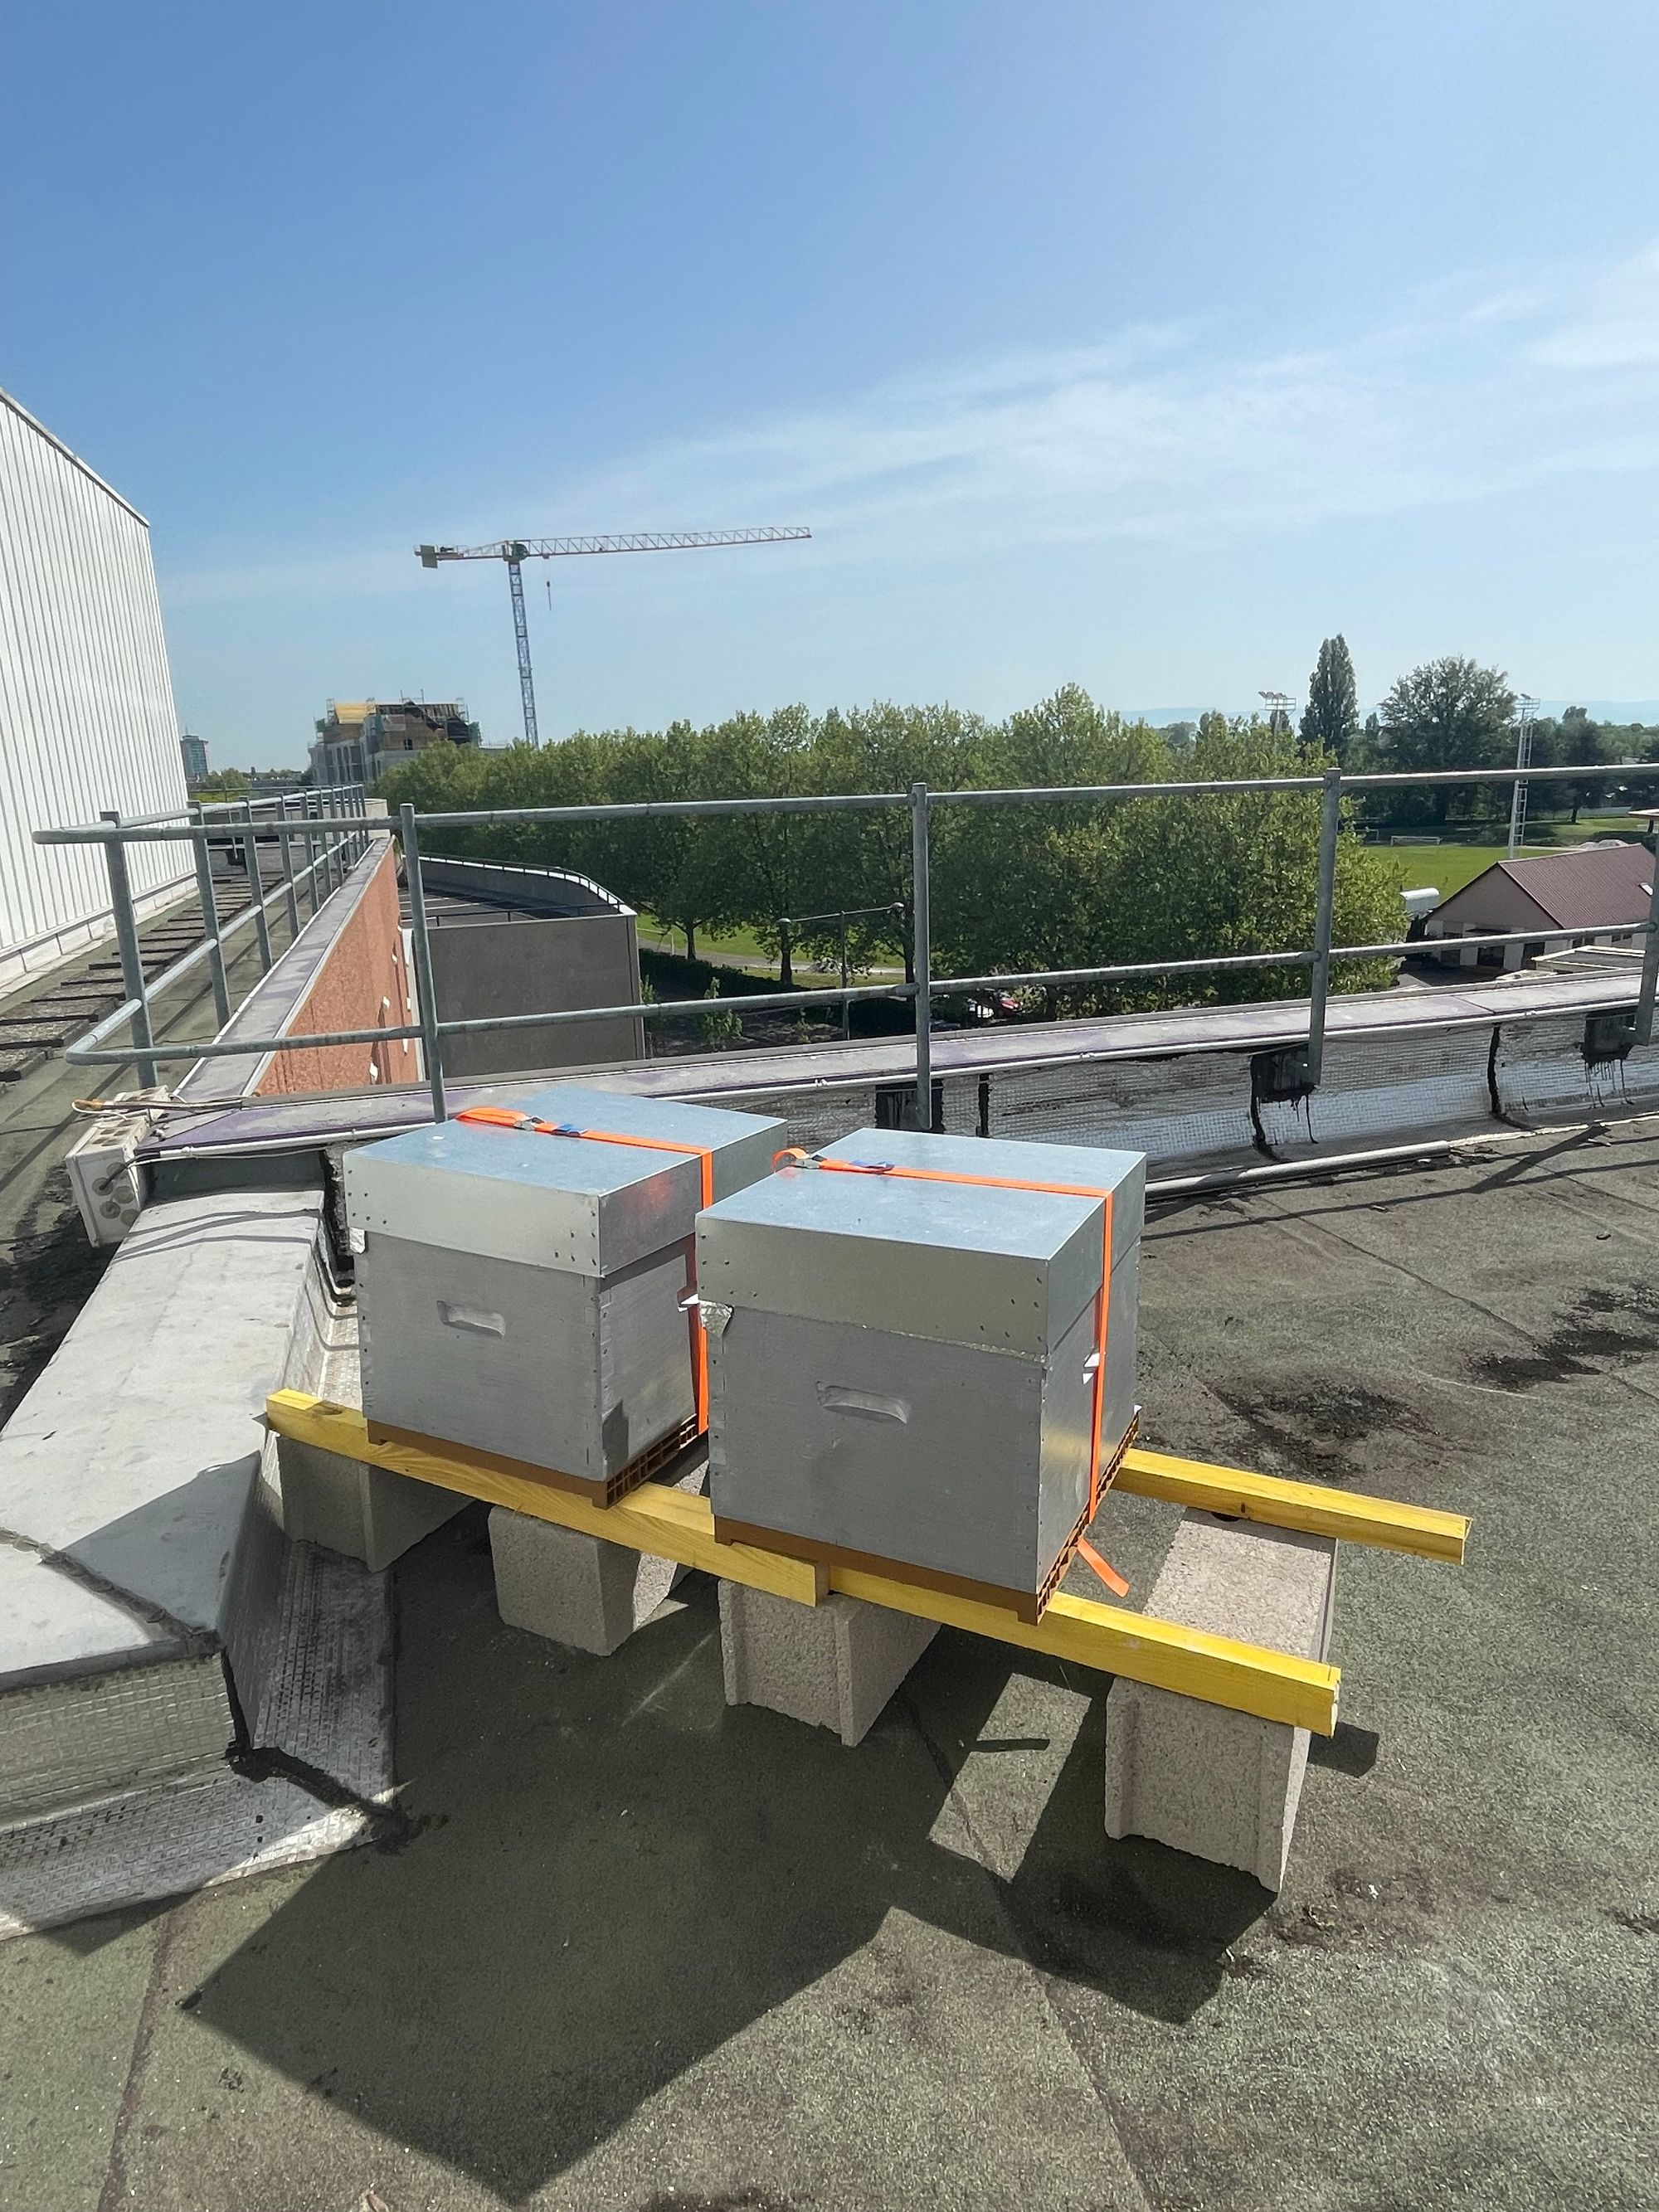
pixel 578 1589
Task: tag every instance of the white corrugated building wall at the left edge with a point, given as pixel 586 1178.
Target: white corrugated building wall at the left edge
pixel 87 716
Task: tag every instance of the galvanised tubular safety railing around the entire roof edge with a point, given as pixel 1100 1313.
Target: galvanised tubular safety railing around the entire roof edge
pixel 1333 786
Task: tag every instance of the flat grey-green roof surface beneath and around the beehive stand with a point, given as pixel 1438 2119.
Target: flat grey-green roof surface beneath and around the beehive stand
pixel 647 1952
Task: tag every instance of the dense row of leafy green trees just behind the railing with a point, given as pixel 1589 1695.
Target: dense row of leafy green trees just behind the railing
pixel 1014 888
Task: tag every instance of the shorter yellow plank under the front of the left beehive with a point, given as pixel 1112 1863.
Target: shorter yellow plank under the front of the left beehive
pixel 654 1519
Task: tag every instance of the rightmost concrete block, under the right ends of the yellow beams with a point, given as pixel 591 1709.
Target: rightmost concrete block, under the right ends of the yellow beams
pixel 1218 1784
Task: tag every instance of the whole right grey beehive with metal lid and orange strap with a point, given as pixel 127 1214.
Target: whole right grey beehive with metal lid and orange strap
pixel 904 1364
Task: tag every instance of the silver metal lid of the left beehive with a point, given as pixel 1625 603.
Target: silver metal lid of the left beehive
pixel 556 1202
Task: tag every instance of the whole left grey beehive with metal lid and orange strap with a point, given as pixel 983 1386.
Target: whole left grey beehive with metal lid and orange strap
pixel 523 1288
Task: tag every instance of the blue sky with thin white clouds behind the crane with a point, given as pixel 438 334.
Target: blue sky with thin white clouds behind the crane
pixel 1125 344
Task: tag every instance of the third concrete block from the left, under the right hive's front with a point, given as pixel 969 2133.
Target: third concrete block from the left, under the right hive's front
pixel 833 1665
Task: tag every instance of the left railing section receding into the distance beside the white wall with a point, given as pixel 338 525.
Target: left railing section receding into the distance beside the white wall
pixel 326 822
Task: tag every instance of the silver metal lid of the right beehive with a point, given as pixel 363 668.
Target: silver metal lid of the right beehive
pixel 999 1269
